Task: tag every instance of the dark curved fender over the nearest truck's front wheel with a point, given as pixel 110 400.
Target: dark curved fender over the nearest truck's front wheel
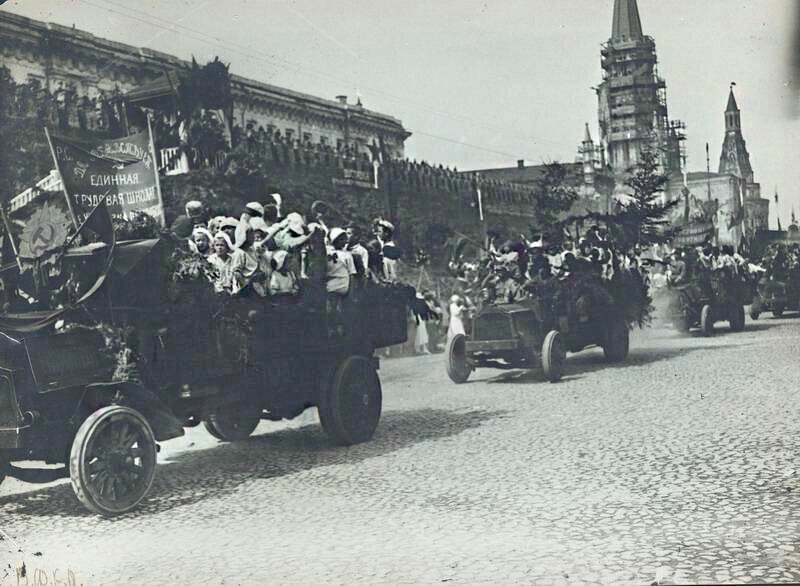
pixel 160 417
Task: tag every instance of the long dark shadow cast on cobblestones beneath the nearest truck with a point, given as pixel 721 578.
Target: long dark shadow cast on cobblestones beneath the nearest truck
pixel 193 476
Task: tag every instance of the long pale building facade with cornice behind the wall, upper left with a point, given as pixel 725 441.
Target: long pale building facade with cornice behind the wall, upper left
pixel 56 57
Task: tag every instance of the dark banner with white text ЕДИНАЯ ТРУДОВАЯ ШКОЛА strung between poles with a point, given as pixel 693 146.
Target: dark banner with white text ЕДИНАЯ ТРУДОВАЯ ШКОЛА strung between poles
pixel 122 170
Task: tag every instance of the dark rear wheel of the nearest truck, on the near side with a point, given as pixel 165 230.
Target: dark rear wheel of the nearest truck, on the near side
pixel 350 406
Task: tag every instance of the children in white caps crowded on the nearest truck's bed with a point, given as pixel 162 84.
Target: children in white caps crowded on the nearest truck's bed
pixel 263 254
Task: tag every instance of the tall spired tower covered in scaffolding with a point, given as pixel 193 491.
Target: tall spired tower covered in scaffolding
pixel 632 99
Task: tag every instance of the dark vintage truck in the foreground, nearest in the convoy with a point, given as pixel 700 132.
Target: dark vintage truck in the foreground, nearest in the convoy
pixel 228 363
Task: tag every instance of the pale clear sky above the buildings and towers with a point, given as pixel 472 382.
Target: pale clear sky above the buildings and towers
pixel 482 83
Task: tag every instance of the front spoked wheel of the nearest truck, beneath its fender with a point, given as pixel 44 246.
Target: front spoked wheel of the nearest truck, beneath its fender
pixel 113 460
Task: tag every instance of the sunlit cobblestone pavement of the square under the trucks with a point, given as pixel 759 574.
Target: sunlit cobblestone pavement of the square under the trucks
pixel 679 466
